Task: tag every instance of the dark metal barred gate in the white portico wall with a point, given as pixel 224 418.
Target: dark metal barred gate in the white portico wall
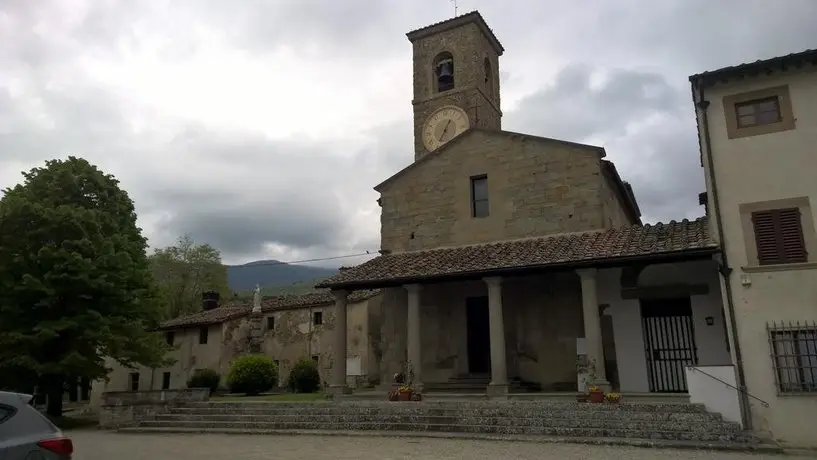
pixel 669 343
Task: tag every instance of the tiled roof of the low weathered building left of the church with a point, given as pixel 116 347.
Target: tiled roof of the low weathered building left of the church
pixel 237 309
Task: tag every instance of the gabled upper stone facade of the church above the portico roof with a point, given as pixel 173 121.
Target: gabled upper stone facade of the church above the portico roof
pixel 536 187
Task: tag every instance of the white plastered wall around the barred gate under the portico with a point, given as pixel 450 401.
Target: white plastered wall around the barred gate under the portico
pixel 626 315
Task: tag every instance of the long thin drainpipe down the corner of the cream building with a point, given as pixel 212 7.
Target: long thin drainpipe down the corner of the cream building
pixel 725 270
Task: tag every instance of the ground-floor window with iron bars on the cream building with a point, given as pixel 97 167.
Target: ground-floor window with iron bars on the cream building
pixel 794 355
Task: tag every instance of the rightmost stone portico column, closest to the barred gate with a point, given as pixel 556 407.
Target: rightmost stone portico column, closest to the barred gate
pixel 592 325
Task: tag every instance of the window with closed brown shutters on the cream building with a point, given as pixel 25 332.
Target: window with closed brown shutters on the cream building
pixel 779 236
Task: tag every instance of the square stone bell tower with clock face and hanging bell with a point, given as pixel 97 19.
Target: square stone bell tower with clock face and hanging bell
pixel 456 80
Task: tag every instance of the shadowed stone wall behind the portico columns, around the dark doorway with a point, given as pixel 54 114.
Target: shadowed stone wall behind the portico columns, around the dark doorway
pixel 542 316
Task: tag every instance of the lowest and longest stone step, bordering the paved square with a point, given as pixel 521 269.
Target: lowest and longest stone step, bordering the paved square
pixel 632 442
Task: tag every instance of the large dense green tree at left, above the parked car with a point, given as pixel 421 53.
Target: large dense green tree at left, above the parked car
pixel 75 283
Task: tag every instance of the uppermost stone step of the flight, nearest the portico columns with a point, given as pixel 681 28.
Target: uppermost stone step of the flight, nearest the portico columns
pixel 519 407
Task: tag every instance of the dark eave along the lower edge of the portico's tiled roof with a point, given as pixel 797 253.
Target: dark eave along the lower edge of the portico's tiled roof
pixel 608 262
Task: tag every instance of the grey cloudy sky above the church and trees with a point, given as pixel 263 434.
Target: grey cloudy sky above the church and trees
pixel 261 126
